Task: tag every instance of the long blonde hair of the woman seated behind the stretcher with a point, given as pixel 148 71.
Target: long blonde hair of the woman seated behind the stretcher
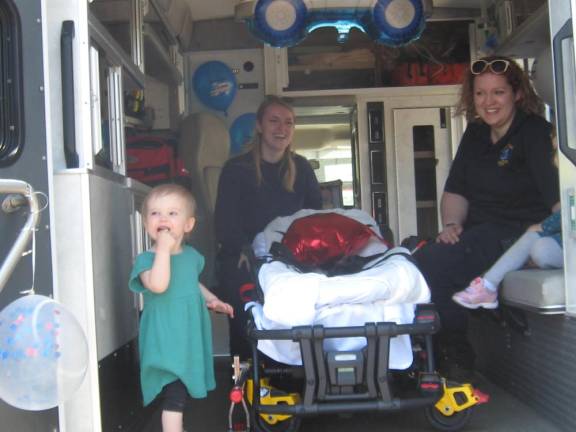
pixel 287 162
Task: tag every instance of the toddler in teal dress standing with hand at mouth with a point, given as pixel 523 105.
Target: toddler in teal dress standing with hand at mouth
pixel 175 339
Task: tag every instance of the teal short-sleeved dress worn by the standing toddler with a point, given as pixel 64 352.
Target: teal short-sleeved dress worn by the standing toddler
pixel 175 331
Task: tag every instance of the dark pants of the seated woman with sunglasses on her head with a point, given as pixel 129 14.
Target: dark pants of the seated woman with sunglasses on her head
pixel 450 268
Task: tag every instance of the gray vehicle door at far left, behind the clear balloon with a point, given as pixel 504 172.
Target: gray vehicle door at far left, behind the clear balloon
pixel 24 156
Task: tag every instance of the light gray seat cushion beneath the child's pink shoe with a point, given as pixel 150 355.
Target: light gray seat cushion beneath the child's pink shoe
pixel 537 290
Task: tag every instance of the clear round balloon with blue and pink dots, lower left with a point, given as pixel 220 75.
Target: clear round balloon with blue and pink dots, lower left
pixel 43 353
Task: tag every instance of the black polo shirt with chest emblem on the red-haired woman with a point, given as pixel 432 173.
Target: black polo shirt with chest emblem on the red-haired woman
pixel 513 181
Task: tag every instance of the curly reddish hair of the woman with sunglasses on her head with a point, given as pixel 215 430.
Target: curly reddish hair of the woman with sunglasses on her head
pixel 529 102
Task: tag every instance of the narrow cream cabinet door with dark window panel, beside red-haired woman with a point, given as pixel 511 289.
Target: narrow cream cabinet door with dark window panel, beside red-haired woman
pixel 422 148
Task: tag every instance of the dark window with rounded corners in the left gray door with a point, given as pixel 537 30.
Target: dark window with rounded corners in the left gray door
pixel 11 127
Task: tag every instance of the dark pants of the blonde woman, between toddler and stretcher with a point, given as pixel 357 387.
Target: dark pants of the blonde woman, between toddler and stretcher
pixel 231 279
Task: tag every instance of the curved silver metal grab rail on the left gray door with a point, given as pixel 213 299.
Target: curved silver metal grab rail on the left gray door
pixel 10 204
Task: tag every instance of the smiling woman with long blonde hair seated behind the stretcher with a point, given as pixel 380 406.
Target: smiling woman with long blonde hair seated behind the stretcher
pixel 267 181
